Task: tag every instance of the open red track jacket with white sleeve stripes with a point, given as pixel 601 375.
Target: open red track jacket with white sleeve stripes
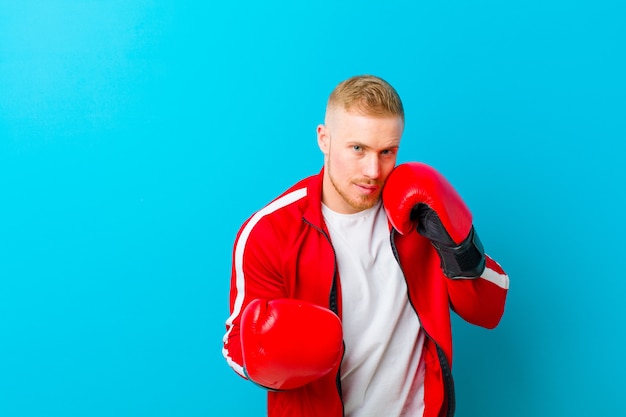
pixel 284 251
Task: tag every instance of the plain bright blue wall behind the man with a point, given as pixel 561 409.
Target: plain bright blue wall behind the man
pixel 136 136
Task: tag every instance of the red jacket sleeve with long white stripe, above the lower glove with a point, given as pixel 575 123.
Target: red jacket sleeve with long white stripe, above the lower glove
pixel 255 274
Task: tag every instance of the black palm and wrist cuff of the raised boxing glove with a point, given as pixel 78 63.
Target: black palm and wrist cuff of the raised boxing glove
pixel 465 260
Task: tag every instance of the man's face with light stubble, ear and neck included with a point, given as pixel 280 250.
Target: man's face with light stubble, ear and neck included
pixel 359 153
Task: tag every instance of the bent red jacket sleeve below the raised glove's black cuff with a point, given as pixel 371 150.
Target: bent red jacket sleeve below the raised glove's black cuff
pixel 481 300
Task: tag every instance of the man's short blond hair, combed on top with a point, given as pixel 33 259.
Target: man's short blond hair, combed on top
pixel 368 95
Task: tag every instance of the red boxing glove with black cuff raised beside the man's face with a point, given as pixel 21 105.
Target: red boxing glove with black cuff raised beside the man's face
pixel 416 196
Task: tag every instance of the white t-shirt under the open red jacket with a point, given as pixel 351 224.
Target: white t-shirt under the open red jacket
pixel 381 373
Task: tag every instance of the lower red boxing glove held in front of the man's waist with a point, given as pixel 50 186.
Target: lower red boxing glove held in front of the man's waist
pixel 288 343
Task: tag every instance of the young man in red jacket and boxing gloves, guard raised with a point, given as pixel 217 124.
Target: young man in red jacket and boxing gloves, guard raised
pixel 342 286
